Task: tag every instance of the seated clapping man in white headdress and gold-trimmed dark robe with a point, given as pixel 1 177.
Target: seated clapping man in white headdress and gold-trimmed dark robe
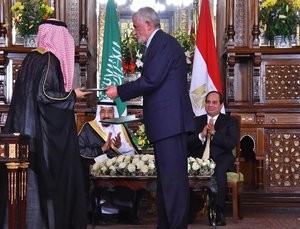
pixel 99 141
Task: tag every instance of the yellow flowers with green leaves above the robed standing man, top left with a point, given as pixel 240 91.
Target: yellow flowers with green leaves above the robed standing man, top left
pixel 28 14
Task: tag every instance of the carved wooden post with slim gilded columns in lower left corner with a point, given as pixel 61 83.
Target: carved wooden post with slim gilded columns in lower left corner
pixel 14 150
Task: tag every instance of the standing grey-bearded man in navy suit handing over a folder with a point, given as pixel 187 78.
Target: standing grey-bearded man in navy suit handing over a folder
pixel 168 115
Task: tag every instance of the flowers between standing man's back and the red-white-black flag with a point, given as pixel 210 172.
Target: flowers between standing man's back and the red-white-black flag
pixel 188 43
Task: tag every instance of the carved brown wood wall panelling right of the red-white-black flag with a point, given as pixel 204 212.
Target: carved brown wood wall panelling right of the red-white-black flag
pixel 262 86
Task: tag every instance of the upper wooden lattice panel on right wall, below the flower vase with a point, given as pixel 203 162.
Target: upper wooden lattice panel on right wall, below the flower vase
pixel 282 82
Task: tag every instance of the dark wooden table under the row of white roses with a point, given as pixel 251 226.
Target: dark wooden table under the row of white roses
pixel 197 183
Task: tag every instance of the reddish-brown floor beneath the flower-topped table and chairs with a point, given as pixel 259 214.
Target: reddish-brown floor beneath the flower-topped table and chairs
pixel 254 218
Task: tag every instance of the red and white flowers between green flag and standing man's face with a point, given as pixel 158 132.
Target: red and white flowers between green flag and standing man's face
pixel 132 53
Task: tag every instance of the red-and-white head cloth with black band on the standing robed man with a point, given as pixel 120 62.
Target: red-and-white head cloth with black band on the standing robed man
pixel 57 39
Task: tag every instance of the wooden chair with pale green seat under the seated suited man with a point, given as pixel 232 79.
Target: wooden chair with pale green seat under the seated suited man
pixel 235 180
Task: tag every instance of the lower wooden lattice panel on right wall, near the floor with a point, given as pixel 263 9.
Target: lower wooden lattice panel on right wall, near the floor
pixel 284 160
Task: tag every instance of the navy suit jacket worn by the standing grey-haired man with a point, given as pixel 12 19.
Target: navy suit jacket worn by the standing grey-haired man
pixel 163 85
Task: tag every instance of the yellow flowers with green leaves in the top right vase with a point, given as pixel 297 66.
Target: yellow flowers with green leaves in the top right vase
pixel 279 17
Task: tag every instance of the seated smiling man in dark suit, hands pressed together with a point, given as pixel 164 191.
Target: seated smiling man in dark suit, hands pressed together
pixel 223 130
